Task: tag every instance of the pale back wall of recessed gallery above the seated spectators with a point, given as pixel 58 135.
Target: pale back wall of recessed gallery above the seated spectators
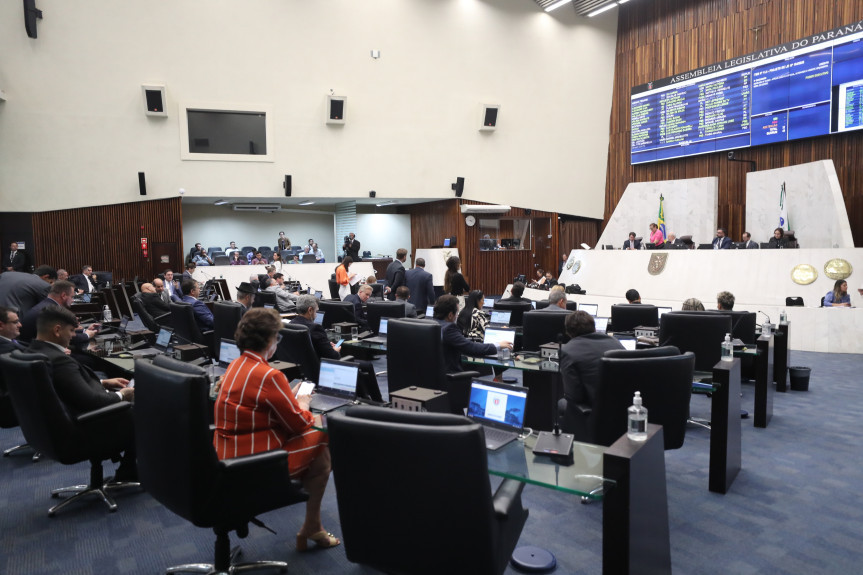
pixel 219 225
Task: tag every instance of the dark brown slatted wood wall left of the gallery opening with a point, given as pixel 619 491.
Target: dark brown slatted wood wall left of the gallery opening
pixel 108 237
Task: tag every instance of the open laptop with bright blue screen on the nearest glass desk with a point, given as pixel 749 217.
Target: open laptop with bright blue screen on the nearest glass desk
pixel 499 408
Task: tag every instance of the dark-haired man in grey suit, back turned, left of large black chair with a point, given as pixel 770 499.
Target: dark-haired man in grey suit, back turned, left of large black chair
pixel 580 361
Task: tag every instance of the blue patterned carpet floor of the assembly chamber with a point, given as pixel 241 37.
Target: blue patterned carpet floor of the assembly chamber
pixel 795 507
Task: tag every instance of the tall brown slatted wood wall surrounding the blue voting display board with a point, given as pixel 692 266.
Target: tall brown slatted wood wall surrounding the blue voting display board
pixel 660 38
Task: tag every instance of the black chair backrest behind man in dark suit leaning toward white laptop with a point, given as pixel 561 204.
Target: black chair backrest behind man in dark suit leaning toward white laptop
pixel 414 354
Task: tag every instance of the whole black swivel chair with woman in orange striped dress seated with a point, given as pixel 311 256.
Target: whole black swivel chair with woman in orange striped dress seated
pixel 171 409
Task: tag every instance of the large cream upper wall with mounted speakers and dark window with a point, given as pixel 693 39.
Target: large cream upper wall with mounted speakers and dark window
pixel 73 132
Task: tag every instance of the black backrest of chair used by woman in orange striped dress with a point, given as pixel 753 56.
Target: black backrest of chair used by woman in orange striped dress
pixel 176 458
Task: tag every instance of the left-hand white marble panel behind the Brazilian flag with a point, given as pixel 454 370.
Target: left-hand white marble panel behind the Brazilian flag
pixel 690 209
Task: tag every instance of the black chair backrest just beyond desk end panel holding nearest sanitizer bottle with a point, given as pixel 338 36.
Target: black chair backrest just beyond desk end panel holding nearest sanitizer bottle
pixel 665 384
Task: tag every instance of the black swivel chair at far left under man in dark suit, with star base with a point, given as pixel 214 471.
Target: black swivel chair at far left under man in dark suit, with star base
pixel 48 427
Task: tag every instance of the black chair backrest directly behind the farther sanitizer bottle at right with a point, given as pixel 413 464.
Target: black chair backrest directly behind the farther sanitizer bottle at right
pixel 702 333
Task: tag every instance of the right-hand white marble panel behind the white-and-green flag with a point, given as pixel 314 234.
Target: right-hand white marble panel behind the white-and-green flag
pixel 816 209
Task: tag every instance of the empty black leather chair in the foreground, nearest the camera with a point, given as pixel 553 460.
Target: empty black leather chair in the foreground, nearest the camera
pixel 431 487
